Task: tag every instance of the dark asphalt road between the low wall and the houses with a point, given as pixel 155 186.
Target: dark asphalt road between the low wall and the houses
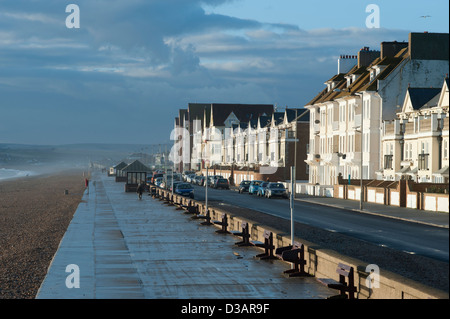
pixel 413 238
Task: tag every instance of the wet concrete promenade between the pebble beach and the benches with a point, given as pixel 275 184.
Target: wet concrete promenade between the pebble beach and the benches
pixel 120 247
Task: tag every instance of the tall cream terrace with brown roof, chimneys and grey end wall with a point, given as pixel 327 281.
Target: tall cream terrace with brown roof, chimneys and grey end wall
pixel 347 117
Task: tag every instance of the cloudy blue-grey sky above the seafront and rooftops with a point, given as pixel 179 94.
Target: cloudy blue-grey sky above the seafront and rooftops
pixel 122 76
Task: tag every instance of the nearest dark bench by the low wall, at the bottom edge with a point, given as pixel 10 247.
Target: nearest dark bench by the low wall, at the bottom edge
pixel 346 284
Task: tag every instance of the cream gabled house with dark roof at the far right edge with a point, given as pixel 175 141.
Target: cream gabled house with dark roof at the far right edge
pixel 416 145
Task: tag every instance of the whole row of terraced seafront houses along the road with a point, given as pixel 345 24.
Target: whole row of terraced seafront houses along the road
pixel 381 122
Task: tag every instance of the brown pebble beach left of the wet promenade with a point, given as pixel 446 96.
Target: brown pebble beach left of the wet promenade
pixel 34 215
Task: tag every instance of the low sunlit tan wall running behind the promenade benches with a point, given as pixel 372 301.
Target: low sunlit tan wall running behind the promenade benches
pixel 320 261
